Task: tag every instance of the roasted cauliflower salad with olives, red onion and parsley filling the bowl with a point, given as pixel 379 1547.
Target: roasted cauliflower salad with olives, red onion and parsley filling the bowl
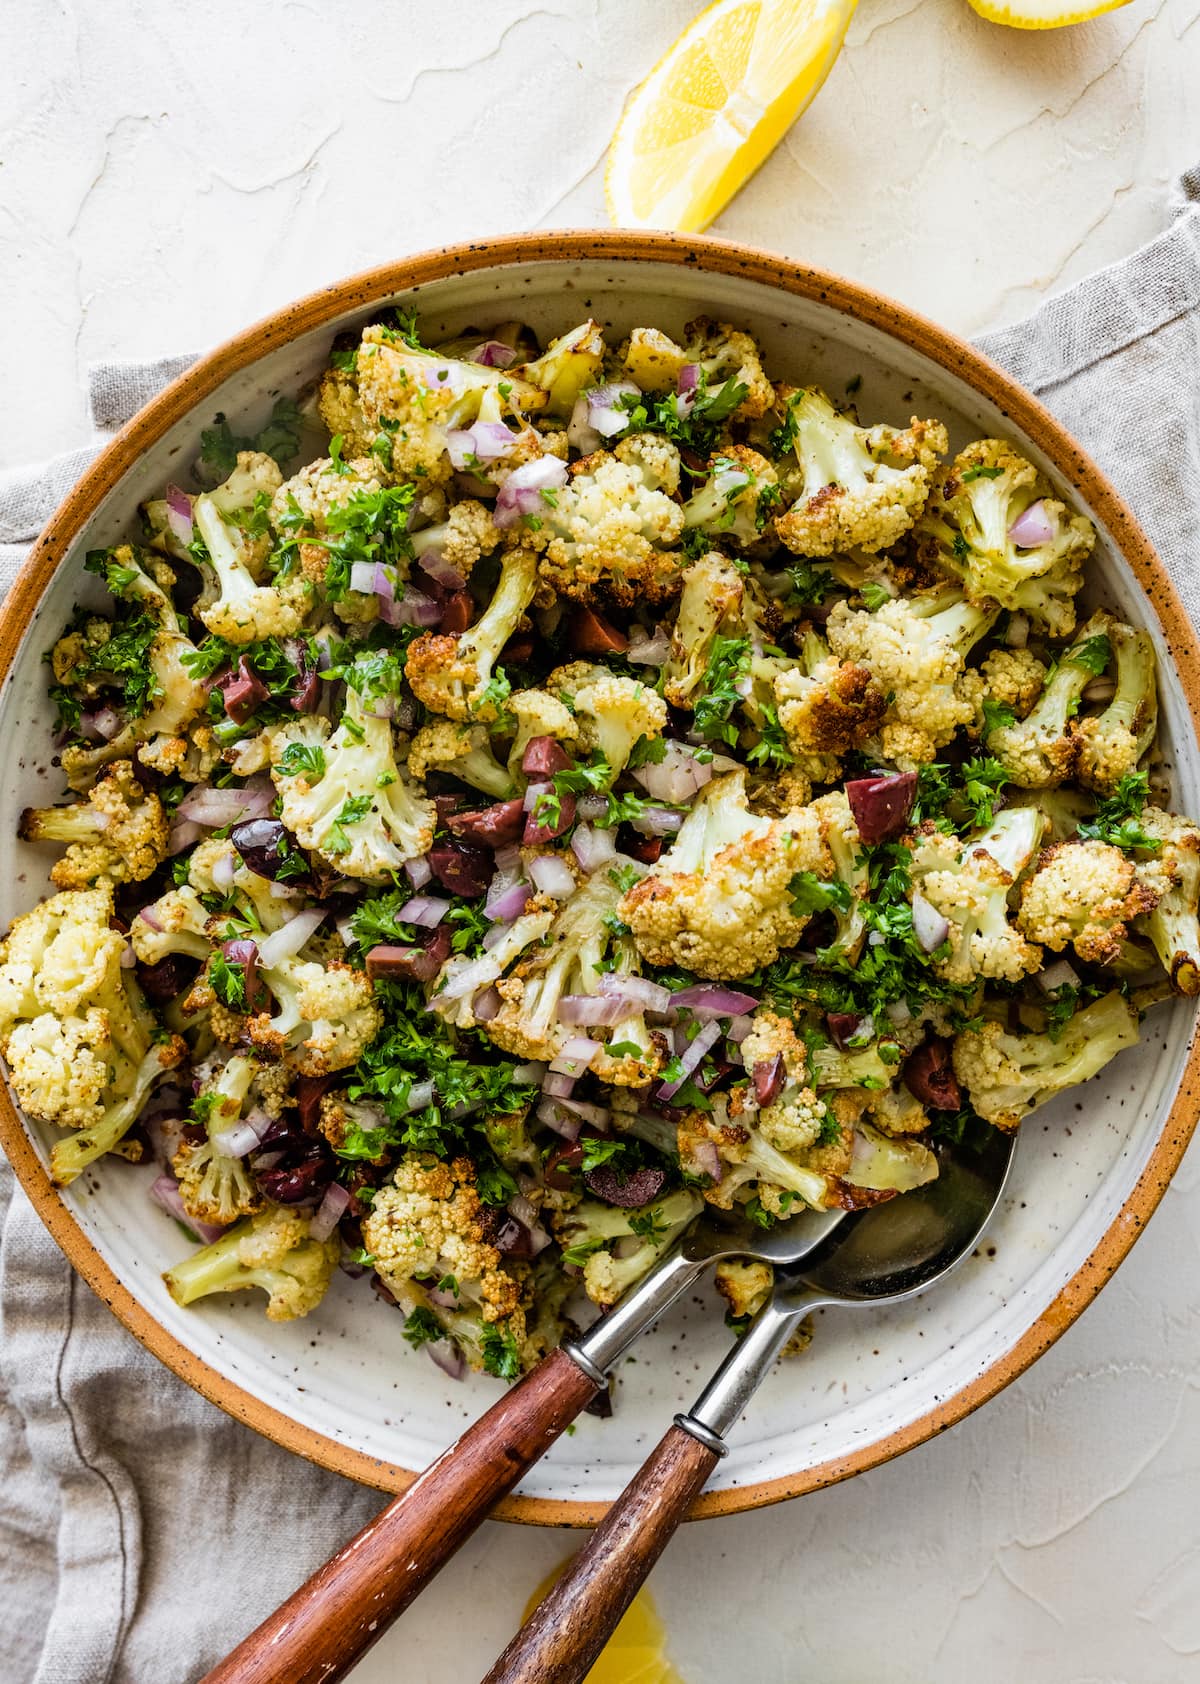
pixel 524 797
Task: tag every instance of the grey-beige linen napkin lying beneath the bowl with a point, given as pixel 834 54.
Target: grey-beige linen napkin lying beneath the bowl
pixel 130 1510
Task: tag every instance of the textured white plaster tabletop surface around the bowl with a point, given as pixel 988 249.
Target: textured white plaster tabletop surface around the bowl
pixel 169 174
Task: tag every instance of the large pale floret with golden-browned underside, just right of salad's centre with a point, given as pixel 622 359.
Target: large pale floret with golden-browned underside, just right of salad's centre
pixel 719 898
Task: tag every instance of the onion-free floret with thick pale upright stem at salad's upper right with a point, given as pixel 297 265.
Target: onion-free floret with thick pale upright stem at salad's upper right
pixel 856 486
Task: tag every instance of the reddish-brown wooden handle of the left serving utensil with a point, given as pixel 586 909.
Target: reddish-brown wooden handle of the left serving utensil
pixel 319 1634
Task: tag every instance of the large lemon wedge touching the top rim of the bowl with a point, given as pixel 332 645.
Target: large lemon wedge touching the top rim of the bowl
pixel 716 105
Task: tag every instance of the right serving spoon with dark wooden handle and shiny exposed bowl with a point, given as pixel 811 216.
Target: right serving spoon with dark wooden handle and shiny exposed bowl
pixel 874 1259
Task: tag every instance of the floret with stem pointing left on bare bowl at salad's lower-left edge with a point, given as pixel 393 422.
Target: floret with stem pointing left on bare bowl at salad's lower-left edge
pixel 273 1252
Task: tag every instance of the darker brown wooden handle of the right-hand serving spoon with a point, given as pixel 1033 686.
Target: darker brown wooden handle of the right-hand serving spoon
pixel 568 1631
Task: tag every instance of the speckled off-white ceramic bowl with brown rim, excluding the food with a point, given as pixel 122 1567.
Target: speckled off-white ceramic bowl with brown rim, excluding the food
pixel 342 1385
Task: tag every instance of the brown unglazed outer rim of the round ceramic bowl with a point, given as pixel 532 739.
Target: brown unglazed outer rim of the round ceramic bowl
pixel 706 255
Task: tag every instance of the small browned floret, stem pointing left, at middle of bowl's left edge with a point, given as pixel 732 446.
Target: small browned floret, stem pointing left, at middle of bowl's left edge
pixel 117 836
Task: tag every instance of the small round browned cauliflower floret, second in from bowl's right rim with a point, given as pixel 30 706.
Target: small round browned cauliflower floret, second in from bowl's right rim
pixel 1086 895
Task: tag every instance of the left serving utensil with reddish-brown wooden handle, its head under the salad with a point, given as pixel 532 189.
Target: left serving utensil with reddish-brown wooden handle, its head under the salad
pixel 348 1606
